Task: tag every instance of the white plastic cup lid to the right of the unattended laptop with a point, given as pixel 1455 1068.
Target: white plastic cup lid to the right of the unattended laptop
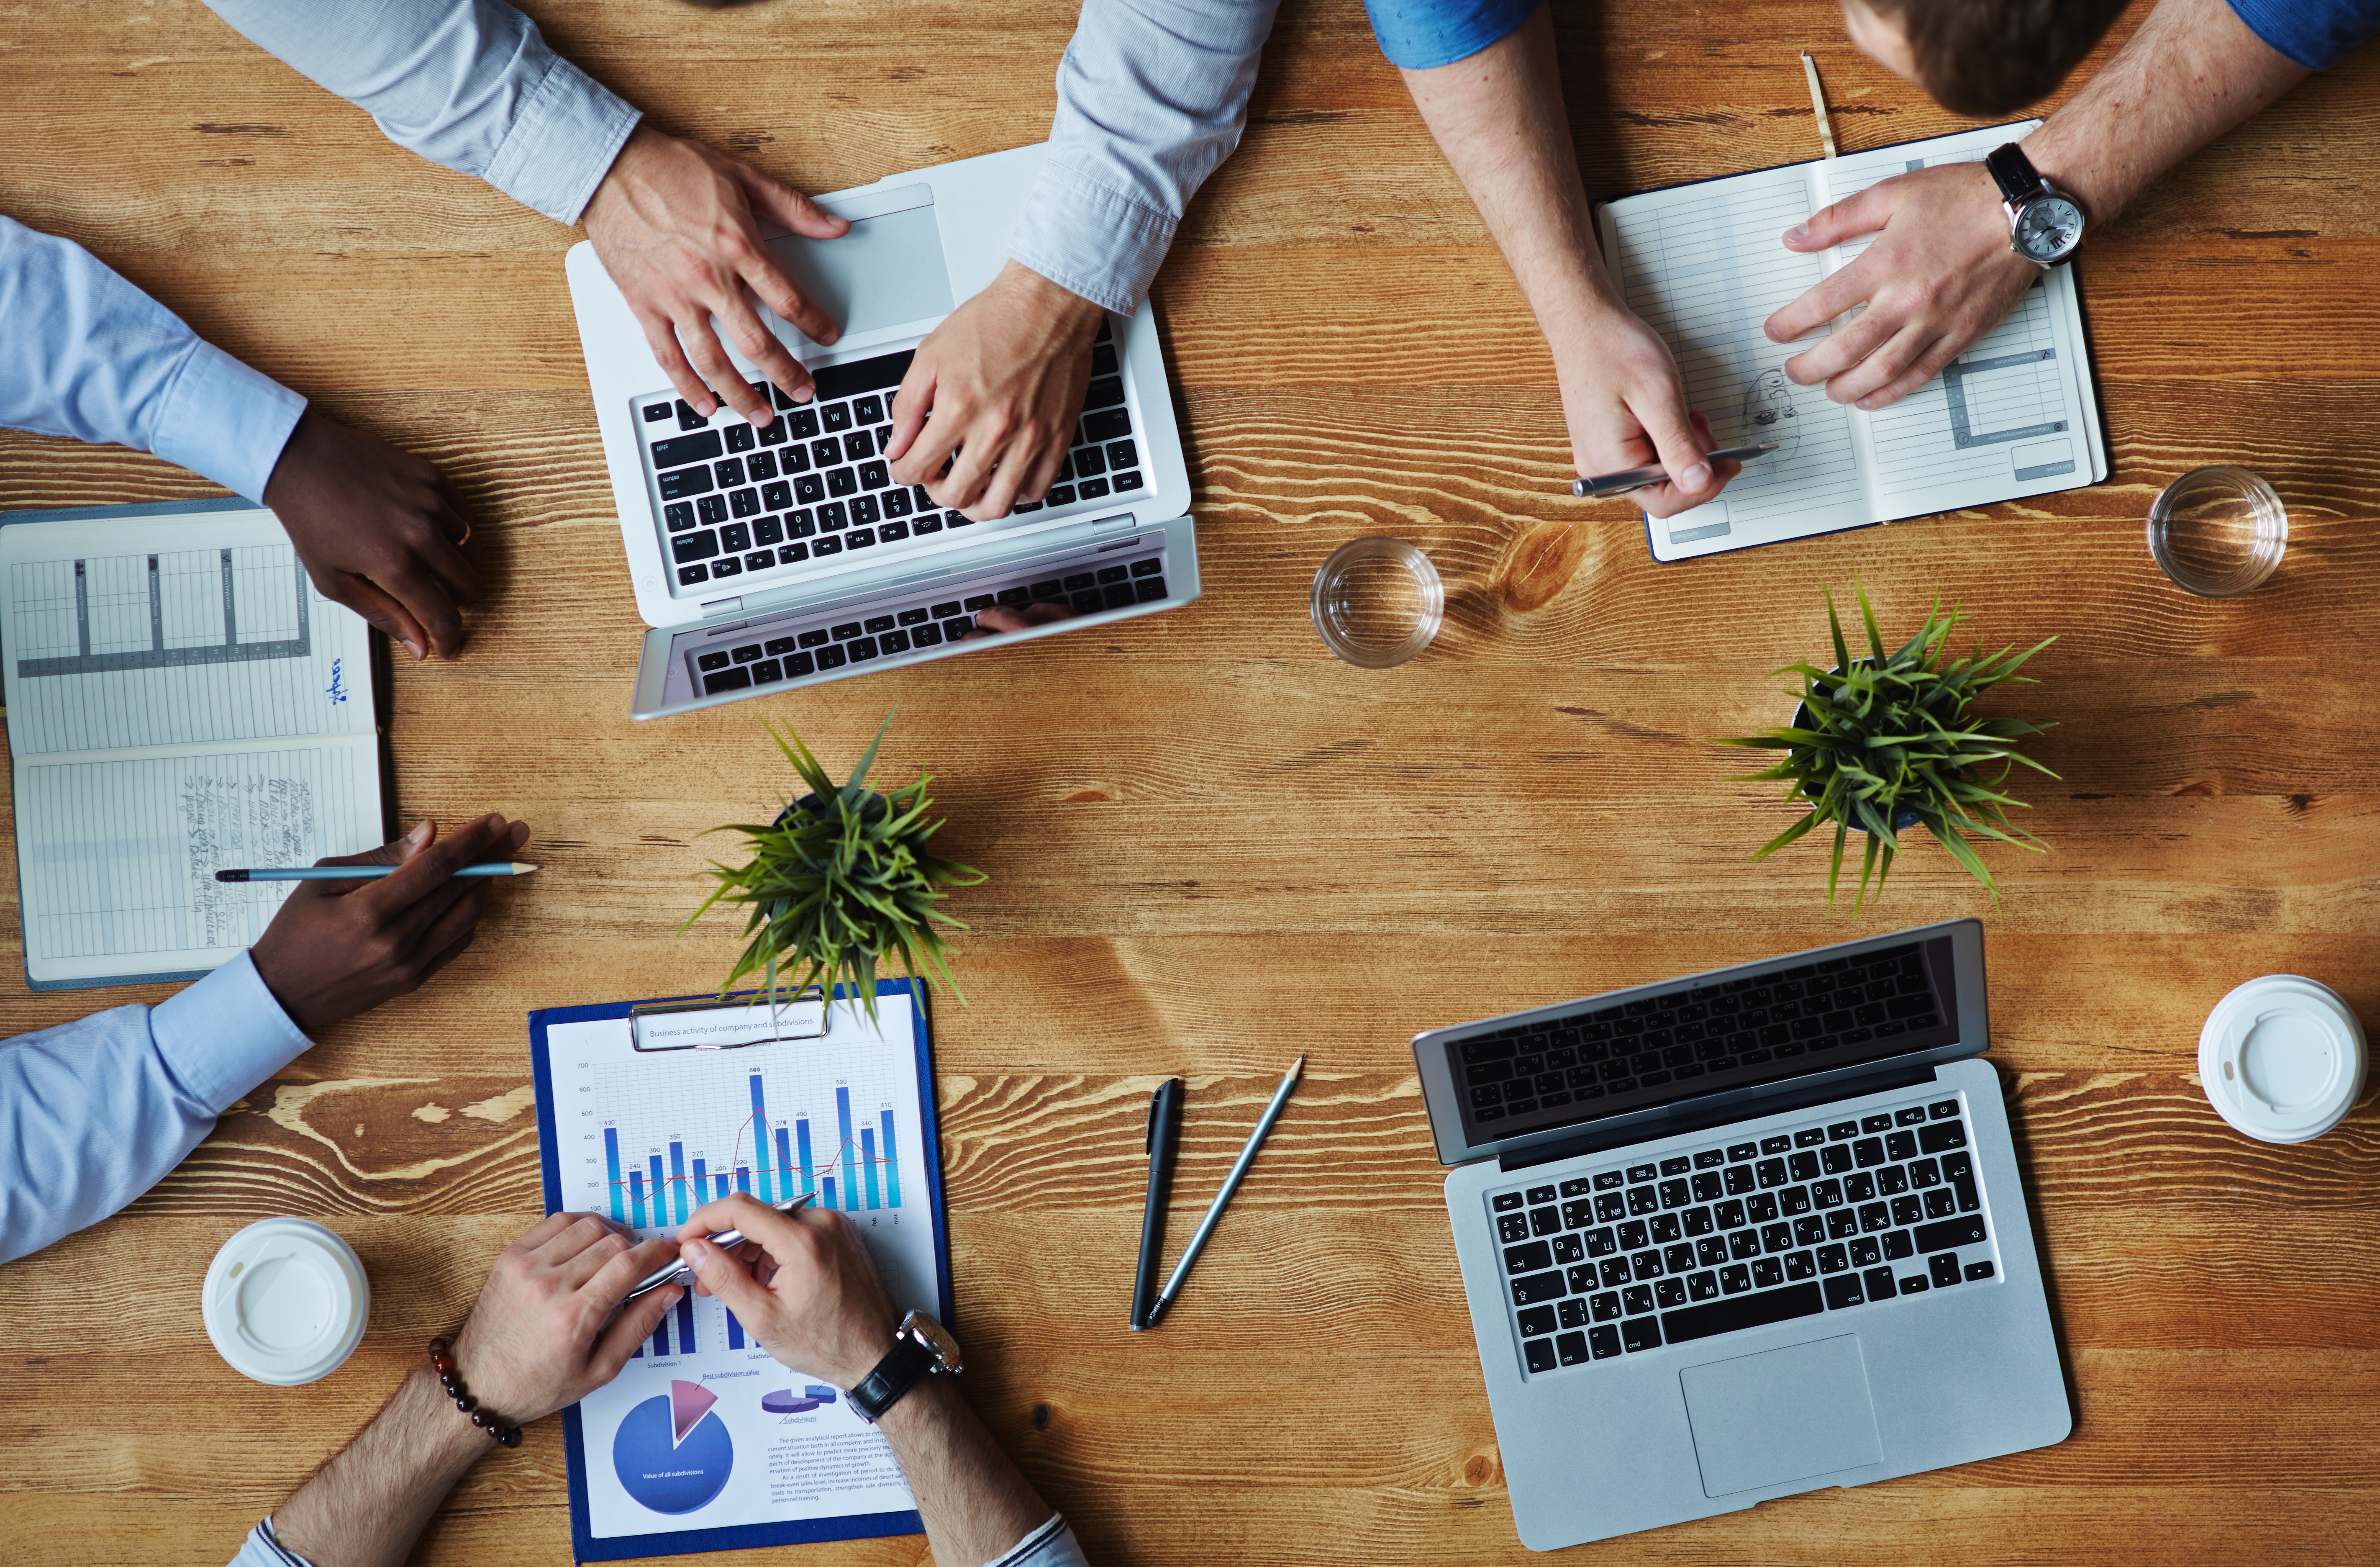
pixel 2281 1059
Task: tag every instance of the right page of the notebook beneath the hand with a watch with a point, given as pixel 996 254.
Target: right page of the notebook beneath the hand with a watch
pixel 2012 413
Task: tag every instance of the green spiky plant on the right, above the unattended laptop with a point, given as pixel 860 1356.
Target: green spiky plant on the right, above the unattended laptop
pixel 1886 744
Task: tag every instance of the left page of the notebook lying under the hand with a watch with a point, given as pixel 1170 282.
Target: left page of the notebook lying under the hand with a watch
pixel 1705 268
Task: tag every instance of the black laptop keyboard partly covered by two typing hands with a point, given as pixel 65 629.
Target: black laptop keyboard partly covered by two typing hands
pixel 741 501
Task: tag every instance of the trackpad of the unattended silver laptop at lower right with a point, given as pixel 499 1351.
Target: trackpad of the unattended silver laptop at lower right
pixel 1765 1421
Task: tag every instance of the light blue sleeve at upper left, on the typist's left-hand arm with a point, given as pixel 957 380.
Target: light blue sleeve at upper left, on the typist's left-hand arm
pixel 468 85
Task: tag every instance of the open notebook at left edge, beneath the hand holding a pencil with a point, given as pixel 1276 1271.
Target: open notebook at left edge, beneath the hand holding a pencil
pixel 180 699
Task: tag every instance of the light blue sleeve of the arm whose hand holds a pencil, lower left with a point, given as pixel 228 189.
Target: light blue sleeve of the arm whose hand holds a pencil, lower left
pixel 99 1111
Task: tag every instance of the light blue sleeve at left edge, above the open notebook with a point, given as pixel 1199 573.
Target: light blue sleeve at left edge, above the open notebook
pixel 94 358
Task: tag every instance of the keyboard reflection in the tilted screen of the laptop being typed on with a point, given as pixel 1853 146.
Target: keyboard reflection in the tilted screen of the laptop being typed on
pixel 791 647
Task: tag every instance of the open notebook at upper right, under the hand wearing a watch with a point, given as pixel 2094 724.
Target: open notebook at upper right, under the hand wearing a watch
pixel 1705 266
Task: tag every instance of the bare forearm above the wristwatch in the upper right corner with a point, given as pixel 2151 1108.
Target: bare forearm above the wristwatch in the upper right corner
pixel 2188 75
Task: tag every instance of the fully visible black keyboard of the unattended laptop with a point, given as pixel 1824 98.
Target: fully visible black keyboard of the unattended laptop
pixel 1741 1235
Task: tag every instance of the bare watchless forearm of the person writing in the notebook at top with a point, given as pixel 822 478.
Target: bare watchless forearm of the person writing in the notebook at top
pixel 1508 137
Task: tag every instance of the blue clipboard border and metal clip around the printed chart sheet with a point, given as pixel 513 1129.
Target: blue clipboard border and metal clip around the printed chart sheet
pixel 739 1537
